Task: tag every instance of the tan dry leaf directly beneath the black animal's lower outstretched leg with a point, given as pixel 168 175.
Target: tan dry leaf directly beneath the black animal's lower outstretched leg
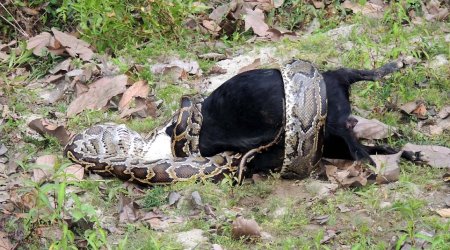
pixel 388 169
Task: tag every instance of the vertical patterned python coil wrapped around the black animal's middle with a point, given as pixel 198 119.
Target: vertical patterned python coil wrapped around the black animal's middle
pixel 306 111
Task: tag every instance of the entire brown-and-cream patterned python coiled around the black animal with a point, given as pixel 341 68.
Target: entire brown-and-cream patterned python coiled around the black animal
pixel 115 150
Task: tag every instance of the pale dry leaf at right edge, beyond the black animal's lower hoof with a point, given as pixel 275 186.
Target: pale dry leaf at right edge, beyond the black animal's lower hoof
pixel 435 156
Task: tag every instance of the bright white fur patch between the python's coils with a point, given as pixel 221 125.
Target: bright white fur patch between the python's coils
pixel 159 146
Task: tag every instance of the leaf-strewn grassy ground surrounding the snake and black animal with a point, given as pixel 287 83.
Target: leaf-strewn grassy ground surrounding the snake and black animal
pixel 55 82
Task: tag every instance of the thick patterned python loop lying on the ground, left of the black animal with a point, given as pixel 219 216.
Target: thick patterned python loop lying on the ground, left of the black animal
pixel 114 150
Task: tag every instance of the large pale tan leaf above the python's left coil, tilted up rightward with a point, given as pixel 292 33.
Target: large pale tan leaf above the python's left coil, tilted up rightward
pixel 98 95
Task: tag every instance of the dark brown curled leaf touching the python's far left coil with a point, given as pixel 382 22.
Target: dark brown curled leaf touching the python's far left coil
pixel 44 127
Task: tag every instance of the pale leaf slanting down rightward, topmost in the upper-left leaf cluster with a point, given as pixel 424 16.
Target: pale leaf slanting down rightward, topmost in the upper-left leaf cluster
pixel 74 46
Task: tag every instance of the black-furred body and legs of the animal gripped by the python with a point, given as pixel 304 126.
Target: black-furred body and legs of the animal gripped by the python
pixel 247 111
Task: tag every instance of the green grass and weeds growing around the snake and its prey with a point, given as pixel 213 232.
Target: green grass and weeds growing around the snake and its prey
pixel 78 214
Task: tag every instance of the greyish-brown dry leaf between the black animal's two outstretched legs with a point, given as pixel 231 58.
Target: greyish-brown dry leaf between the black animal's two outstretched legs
pixel 372 129
